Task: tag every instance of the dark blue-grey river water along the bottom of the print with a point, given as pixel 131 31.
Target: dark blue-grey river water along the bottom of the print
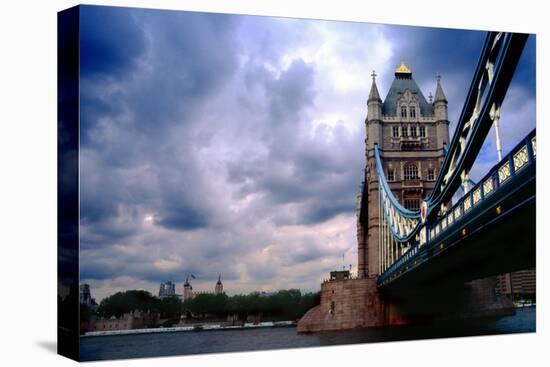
pixel 220 341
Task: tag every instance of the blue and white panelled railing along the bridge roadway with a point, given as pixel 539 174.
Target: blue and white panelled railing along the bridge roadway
pixel 520 157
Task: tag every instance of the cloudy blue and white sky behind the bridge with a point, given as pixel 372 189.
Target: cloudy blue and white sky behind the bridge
pixel 234 145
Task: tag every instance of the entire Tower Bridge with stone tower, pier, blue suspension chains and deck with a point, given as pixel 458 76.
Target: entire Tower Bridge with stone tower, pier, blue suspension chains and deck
pixel 419 254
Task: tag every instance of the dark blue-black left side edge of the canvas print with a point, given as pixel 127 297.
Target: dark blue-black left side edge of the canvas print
pixel 68 183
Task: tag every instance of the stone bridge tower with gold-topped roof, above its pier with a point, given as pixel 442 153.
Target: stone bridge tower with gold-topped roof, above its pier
pixel 411 133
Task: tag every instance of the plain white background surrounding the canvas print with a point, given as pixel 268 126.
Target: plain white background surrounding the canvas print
pixel 28 183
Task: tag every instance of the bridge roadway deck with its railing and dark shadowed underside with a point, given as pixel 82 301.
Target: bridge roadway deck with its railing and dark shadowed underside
pixel 495 235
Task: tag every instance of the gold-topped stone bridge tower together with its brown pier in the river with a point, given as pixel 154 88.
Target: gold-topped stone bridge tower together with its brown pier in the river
pixel 411 133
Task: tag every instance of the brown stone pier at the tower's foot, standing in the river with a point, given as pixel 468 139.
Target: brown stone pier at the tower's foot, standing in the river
pixel 357 303
